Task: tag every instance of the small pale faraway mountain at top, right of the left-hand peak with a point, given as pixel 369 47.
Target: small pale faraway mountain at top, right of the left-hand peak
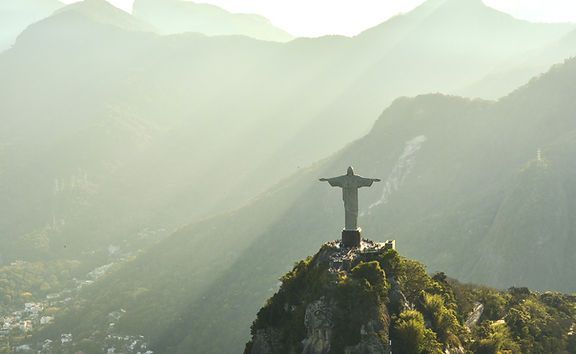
pixel 178 16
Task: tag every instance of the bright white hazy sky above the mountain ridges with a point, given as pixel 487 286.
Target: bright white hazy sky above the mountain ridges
pixel 349 17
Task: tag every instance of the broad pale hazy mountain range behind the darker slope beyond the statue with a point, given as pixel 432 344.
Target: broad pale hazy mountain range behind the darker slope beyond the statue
pixel 138 117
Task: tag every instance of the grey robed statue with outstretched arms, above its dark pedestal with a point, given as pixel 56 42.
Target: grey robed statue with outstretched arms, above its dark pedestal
pixel 350 184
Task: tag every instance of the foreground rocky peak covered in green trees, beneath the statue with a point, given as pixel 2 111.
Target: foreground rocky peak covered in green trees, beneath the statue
pixel 371 300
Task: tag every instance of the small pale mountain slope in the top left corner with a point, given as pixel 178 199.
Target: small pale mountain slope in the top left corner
pixel 16 15
